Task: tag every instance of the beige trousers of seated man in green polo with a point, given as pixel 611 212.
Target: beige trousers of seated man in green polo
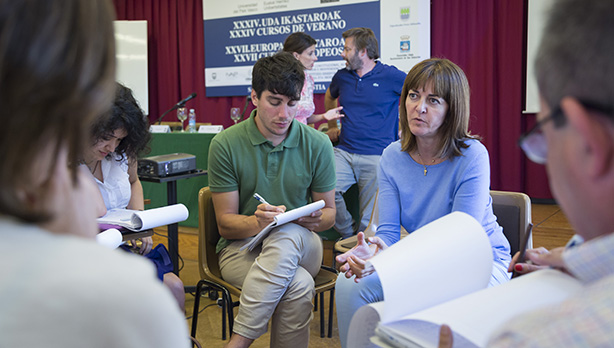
pixel 276 281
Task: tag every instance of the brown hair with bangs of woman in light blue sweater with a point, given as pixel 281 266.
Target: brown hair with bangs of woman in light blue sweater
pixel 450 83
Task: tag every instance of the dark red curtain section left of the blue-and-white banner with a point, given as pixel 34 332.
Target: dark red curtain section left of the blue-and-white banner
pixel 177 58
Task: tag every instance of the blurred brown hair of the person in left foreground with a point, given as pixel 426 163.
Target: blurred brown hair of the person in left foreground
pixel 57 67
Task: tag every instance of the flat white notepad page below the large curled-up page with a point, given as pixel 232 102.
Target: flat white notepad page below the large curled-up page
pixel 475 317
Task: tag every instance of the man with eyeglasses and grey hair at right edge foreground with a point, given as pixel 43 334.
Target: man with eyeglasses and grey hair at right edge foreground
pixel 574 137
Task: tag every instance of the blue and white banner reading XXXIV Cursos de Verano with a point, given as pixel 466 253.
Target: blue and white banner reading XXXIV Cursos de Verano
pixel 239 32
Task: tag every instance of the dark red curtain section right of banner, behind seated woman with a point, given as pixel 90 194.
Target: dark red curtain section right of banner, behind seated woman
pixel 487 40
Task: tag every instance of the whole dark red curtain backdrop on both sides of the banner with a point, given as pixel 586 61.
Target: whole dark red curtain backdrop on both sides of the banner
pixel 485 38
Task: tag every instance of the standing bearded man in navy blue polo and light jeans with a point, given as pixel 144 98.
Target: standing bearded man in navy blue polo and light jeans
pixel 369 92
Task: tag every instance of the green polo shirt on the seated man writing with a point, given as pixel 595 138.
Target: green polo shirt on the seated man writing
pixel 242 159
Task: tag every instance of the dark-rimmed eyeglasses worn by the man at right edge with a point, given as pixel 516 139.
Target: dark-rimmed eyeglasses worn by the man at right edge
pixel 534 143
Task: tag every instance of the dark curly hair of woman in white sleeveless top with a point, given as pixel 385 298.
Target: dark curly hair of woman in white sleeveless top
pixel 125 114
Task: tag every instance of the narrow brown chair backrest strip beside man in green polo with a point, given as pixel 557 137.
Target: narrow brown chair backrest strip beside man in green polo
pixel 208 236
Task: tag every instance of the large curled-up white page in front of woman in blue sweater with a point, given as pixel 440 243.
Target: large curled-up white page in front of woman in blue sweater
pixel 421 270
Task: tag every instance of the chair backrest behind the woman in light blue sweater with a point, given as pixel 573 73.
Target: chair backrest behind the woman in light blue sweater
pixel 513 212
